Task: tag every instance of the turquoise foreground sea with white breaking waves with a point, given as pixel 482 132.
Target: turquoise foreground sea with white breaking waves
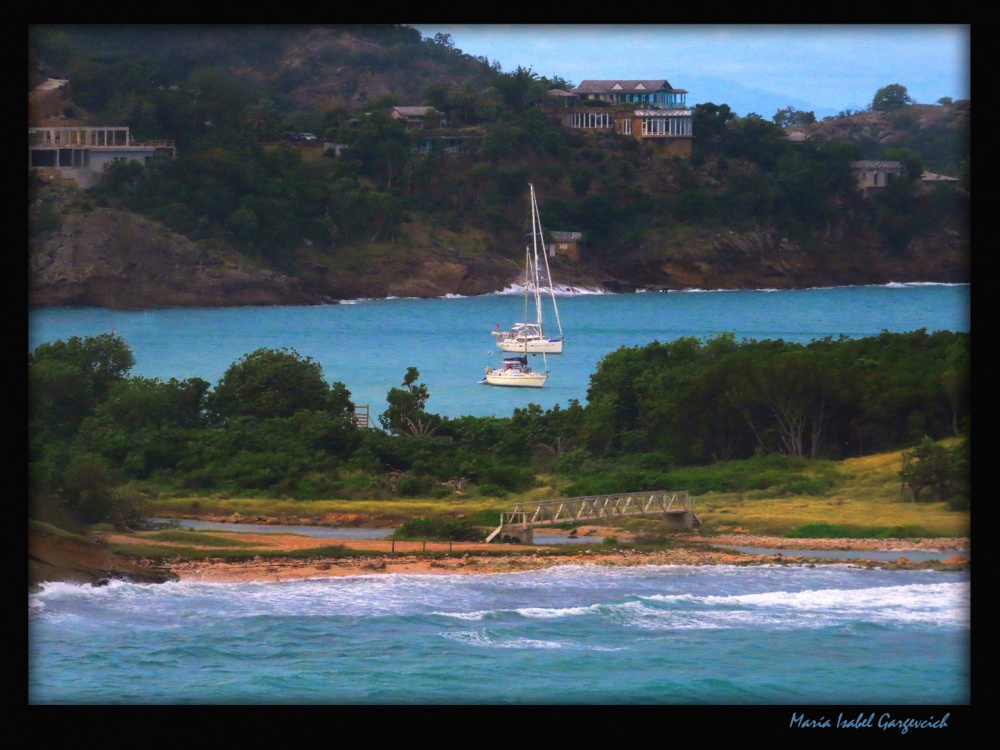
pixel 712 635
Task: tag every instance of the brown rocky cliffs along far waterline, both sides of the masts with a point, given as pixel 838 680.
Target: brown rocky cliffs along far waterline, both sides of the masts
pixel 115 259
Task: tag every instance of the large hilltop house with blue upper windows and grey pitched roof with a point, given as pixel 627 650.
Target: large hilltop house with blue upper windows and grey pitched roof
pixel 652 111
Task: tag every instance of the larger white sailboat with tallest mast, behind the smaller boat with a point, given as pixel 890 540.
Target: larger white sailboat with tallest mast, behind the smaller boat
pixel 530 337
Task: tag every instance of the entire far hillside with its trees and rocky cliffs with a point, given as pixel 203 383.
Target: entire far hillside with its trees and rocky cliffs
pixel 241 218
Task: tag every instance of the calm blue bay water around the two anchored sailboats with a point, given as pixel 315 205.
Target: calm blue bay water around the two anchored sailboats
pixel 368 345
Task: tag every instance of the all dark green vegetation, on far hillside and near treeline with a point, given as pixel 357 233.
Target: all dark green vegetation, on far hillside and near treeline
pixel 275 426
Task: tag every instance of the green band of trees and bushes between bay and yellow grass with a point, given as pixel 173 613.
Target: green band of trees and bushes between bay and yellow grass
pixel 274 426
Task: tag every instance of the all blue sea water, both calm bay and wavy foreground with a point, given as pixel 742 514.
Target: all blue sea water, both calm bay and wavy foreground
pixel 781 635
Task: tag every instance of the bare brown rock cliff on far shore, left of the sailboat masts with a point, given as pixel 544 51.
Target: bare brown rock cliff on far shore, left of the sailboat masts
pixel 116 259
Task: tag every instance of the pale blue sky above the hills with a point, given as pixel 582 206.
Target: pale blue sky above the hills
pixel 752 68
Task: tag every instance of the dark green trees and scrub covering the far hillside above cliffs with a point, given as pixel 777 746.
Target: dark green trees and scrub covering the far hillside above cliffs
pixel 223 98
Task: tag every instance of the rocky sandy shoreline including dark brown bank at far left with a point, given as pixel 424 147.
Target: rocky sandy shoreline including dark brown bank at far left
pixel 70 558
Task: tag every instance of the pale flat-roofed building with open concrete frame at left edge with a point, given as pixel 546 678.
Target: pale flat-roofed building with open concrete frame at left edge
pixel 83 154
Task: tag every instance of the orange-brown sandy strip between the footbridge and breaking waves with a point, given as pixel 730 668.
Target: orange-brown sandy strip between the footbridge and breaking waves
pixel 385 557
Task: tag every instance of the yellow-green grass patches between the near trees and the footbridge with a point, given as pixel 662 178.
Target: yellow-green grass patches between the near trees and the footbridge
pixel 859 497
